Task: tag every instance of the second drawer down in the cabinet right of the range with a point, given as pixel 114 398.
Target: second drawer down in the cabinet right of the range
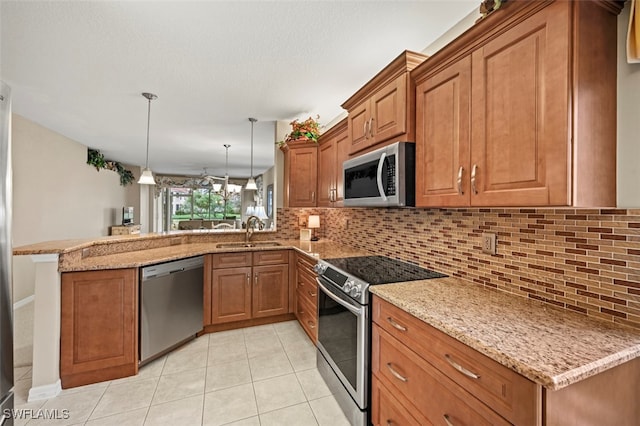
pixel 424 387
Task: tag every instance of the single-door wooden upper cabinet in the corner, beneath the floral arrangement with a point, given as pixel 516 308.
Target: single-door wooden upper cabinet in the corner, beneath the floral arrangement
pixel 300 174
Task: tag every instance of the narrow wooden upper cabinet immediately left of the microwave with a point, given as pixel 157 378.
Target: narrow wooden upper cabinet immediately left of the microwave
pixel 333 150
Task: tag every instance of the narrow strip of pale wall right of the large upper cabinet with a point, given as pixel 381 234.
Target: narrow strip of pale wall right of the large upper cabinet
pixel 628 121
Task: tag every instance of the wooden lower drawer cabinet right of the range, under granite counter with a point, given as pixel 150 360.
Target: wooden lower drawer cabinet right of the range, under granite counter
pixel 439 380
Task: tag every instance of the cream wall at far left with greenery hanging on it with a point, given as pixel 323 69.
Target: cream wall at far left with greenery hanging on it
pixel 57 196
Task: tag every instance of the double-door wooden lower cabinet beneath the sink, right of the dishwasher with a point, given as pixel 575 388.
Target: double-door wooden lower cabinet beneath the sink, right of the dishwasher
pixel 247 285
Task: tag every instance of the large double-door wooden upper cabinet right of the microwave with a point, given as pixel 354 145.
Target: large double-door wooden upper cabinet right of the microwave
pixel 521 110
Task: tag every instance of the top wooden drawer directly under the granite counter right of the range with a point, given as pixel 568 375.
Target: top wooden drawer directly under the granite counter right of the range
pixel 510 394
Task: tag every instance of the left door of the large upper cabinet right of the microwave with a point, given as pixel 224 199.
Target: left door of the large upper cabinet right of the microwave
pixel 442 131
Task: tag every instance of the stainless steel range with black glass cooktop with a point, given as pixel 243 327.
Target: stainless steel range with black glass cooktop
pixel 344 323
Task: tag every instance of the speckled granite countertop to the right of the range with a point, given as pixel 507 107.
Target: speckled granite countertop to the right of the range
pixel 552 347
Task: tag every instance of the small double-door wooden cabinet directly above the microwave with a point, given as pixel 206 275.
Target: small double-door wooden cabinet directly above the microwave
pixel 383 109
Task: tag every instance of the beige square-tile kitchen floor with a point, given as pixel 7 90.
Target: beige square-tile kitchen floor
pixel 263 375
